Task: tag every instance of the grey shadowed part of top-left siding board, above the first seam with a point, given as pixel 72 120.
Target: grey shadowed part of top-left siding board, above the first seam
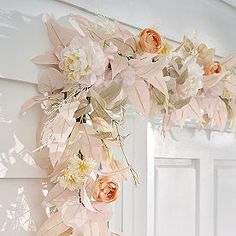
pixel 22 37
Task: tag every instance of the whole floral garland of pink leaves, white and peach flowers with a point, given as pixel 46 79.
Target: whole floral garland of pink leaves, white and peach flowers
pixel 92 72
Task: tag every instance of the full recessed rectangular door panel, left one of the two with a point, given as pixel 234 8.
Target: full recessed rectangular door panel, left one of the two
pixel 175 197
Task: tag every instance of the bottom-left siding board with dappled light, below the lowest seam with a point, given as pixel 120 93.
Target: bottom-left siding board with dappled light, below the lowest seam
pixel 20 206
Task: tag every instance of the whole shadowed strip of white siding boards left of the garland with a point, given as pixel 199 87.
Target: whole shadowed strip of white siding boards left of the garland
pixel 22 182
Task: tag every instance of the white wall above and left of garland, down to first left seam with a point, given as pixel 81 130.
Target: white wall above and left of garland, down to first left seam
pixel 212 19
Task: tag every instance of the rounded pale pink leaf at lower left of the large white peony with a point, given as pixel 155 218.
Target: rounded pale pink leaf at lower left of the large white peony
pixel 50 80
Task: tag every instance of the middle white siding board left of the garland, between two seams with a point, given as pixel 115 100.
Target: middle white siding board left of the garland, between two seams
pixel 17 135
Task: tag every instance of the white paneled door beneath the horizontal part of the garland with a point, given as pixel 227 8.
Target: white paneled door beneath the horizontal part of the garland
pixel 194 182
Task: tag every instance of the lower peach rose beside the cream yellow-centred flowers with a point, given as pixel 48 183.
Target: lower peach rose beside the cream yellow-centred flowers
pixel 106 189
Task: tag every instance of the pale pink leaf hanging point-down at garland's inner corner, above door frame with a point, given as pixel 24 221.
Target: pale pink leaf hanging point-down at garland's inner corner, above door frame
pixel 139 95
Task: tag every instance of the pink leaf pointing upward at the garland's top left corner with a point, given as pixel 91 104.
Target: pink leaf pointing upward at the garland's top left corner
pixel 59 35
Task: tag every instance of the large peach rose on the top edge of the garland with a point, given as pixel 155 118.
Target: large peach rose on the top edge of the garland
pixel 150 41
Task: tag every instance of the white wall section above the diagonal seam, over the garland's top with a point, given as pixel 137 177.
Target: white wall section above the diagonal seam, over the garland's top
pixel 214 20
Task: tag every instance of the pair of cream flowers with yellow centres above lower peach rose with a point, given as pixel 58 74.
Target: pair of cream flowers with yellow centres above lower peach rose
pixel 77 173
